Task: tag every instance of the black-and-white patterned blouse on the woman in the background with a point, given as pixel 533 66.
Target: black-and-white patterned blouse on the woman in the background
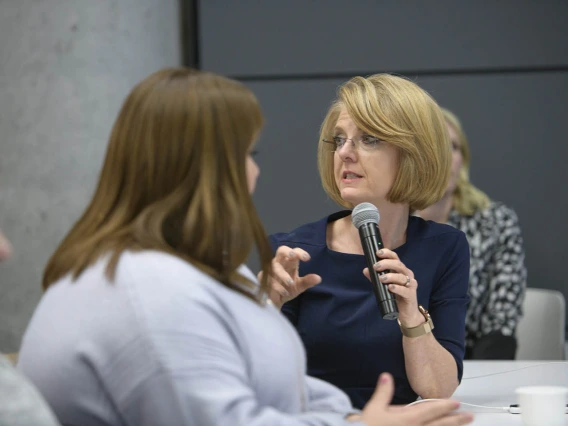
pixel 498 276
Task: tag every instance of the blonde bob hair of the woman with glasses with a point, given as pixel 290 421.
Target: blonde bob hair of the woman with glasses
pixel 400 113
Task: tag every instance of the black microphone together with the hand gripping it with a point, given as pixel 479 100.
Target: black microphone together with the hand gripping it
pixel 394 285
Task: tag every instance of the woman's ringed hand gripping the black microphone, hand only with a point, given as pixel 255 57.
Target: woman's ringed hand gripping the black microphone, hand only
pixel 401 282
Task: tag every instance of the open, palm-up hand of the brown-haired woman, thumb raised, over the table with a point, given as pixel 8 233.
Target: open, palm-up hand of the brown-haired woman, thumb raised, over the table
pixel 378 412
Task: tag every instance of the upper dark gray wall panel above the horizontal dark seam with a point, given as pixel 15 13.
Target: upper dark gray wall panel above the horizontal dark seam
pixel 259 38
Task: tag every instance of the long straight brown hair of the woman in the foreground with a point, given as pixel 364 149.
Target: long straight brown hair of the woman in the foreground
pixel 174 180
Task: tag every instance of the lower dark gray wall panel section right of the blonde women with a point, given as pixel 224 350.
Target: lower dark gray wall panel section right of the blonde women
pixel 516 126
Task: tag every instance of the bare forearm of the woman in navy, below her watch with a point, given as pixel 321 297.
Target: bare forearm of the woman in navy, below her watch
pixel 431 369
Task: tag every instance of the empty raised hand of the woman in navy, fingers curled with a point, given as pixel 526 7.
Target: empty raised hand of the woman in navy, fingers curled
pixel 285 282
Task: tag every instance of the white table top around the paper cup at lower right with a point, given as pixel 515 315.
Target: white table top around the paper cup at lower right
pixel 498 390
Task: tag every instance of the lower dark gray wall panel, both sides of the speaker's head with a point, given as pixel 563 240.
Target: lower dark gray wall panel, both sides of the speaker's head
pixel 515 133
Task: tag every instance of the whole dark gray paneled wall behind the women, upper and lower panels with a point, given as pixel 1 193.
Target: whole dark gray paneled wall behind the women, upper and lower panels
pixel 501 66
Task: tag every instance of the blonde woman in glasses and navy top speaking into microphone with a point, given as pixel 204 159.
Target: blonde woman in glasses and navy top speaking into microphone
pixel 383 141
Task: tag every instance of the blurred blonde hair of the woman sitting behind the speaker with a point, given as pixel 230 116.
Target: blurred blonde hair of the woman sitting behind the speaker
pixel 467 199
